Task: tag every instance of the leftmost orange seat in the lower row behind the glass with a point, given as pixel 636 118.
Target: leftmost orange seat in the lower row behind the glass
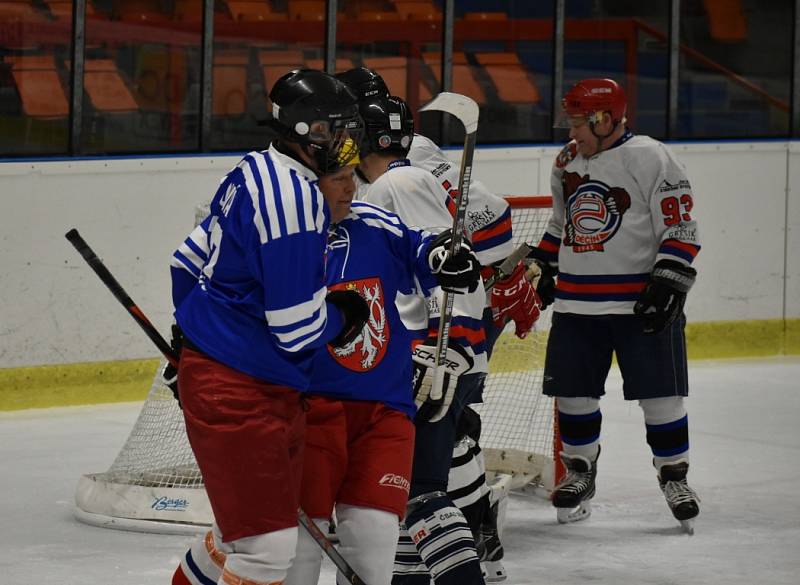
pixel 39 86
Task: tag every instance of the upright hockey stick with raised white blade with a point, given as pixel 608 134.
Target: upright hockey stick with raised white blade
pixel 467 112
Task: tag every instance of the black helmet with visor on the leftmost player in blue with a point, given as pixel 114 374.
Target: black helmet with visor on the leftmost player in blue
pixel 318 112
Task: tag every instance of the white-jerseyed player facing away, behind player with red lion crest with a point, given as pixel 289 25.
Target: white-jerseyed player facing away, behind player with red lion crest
pixel 437 532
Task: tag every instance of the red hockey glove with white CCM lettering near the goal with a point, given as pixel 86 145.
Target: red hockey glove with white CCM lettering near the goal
pixel 515 298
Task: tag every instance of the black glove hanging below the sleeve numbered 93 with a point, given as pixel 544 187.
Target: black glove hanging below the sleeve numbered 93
pixel 662 299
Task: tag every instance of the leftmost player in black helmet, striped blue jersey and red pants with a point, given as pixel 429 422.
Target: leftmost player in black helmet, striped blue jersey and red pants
pixel 254 308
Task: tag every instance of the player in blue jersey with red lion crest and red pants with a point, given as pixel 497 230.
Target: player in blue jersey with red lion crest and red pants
pixel 359 435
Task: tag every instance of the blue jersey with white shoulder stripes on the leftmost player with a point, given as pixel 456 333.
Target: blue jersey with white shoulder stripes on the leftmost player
pixel 249 282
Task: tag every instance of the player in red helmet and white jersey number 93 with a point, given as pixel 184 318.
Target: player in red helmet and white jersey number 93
pixel 620 242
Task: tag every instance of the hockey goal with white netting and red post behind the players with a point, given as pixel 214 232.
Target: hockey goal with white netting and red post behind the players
pixel 154 484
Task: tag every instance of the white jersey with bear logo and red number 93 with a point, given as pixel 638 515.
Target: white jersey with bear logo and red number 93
pixel 615 214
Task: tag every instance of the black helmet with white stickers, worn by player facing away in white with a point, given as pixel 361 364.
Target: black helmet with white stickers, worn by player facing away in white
pixel 389 125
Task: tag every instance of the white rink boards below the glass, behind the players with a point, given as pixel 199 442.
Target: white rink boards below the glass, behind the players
pixel 135 211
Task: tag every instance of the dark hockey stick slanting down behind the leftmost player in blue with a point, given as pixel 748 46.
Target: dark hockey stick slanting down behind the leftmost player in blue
pixel 116 289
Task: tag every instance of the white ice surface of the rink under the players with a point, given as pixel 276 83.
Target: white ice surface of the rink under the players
pixel 744 421
